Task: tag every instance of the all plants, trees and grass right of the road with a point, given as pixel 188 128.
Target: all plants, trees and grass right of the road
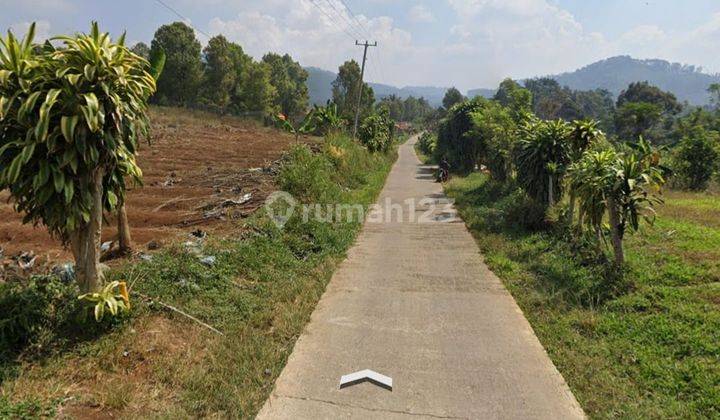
pixel 617 274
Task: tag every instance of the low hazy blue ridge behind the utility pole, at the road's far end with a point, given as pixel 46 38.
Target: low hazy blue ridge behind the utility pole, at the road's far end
pixel 320 88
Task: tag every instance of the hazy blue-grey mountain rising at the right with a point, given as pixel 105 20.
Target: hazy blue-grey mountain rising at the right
pixel 614 74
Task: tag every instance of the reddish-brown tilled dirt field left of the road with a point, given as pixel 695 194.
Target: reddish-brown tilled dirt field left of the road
pixel 196 161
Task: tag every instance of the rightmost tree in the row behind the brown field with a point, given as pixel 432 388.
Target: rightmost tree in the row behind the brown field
pixel 290 81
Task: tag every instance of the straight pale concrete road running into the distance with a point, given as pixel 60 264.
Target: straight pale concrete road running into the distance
pixel 414 301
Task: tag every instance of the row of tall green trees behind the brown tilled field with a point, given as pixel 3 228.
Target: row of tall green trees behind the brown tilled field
pixel 222 77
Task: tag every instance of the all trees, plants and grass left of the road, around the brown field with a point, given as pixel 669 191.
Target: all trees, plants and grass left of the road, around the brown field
pixel 194 329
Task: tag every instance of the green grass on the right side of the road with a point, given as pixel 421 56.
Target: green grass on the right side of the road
pixel 650 352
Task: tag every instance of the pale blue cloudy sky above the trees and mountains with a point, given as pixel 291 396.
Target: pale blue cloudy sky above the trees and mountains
pixel 464 43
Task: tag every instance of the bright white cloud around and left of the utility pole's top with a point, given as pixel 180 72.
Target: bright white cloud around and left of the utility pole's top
pixel 315 38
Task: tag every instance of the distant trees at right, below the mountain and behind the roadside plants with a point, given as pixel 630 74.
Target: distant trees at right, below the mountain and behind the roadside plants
pixel 689 136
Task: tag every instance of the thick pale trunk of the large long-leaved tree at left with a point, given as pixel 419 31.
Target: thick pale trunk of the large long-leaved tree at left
pixel 85 240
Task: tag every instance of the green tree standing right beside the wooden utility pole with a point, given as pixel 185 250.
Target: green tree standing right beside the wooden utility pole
pixel 345 90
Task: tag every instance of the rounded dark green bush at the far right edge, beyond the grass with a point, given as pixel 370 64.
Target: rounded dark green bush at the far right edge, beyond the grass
pixel 696 159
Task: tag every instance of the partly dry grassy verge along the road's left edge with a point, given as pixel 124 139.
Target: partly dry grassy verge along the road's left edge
pixel 259 293
